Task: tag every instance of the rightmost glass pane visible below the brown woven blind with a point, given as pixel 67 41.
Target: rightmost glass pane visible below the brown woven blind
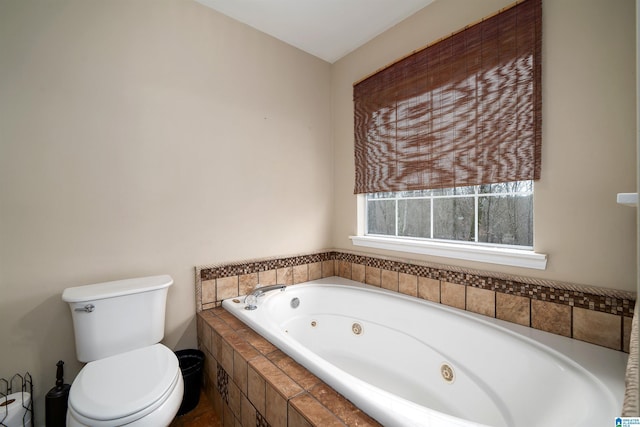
pixel 506 220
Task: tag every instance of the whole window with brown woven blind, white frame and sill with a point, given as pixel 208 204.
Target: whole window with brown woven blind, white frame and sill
pixel 448 142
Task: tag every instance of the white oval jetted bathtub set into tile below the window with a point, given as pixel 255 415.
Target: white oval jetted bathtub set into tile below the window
pixel 409 362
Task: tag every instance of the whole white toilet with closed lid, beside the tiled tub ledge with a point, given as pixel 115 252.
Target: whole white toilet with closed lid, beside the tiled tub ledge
pixel 130 378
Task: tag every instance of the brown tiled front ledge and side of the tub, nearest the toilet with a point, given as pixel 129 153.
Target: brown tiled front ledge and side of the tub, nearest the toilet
pixel 252 383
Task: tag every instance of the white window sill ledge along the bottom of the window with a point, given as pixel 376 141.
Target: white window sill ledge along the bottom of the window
pixel 492 255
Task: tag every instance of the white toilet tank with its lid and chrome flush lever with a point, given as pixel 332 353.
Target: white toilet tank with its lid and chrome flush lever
pixel 114 317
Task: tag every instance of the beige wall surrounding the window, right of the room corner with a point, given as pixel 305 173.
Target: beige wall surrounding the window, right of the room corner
pixel 588 133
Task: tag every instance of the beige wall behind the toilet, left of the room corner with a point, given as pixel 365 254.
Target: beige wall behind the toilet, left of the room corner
pixel 145 137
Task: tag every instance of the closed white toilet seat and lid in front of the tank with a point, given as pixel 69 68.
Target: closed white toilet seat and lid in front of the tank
pixel 125 387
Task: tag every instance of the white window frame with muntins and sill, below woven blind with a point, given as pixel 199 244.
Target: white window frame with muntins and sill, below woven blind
pixel 524 257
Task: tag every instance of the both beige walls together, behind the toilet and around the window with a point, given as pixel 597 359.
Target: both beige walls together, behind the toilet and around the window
pixel 150 136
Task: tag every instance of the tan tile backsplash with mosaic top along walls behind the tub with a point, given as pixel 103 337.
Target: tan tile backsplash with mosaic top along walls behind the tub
pixel 596 315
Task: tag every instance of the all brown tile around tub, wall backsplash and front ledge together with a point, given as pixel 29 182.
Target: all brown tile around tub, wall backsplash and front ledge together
pixel 599 316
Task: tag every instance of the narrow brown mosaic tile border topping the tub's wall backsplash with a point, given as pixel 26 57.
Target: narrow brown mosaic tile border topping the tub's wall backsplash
pixel 604 300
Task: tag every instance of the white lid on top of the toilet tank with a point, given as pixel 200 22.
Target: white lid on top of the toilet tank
pixel 116 288
